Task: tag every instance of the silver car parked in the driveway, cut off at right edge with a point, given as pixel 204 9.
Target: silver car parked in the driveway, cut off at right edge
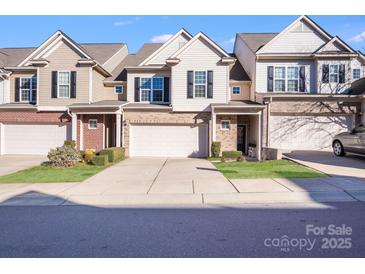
pixel 353 141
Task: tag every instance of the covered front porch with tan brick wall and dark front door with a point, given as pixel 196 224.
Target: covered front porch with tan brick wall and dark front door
pixel 238 126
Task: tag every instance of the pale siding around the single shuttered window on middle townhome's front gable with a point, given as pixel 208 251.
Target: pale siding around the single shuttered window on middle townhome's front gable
pixel 199 56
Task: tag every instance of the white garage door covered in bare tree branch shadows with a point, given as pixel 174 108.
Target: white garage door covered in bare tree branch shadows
pixel 306 132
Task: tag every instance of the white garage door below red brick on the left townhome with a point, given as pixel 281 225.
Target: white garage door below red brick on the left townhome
pixel 34 138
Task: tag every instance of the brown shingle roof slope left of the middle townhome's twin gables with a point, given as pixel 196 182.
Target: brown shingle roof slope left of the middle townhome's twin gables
pixel 120 73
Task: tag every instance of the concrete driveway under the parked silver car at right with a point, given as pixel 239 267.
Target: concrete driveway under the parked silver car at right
pixel 325 161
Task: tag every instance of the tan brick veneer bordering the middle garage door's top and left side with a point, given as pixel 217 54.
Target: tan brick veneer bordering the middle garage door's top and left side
pixel 160 117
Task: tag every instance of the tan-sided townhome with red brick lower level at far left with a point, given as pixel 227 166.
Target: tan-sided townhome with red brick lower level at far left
pixel 38 85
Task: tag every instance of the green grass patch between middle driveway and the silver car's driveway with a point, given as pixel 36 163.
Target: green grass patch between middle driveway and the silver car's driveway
pixel 266 169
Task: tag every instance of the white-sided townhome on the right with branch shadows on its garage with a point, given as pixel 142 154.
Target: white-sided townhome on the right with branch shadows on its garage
pixel 302 75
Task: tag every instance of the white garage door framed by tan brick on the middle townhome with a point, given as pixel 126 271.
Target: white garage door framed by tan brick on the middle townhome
pixel 169 141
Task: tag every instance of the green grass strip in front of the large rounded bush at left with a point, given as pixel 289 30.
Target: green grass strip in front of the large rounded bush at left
pixel 41 174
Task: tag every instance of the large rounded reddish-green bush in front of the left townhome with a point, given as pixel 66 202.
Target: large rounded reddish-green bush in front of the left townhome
pixel 65 156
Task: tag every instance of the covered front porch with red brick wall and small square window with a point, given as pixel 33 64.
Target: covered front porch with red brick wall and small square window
pixel 98 125
